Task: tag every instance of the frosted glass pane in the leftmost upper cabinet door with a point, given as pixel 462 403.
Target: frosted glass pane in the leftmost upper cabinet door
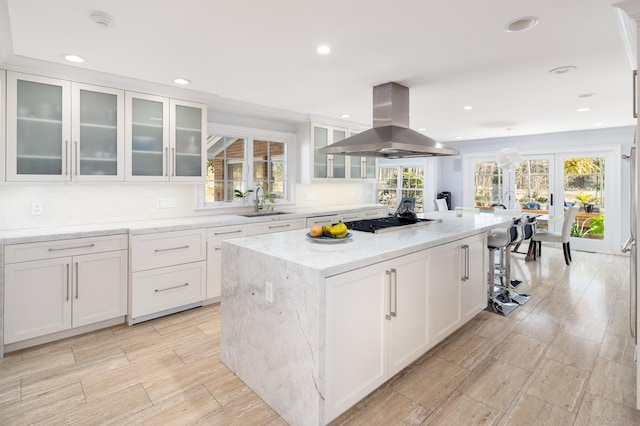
pixel 39 129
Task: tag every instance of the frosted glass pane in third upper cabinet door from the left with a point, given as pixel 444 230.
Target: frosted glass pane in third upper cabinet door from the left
pixel 147 137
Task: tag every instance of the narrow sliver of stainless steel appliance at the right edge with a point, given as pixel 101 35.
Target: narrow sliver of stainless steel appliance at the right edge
pixel 630 246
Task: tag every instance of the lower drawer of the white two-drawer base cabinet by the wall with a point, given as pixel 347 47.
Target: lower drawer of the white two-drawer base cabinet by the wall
pixel 166 288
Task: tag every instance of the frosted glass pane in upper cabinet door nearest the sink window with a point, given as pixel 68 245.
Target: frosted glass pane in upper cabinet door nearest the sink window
pixel 188 141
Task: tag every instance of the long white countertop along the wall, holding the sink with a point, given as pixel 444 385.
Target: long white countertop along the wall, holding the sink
pixel 20 236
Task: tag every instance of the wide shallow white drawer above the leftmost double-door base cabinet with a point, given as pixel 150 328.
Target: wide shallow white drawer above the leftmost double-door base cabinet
pixel 61 248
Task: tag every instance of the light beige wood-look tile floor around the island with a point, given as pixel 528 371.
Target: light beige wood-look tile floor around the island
pixel 564 358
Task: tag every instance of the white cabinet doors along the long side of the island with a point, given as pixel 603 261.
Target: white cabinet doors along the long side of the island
pixel 381 318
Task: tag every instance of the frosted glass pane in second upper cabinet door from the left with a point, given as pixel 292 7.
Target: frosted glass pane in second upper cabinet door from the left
pixel 98 150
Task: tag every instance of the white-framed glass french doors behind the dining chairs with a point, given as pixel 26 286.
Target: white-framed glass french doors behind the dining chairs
pixel 547 183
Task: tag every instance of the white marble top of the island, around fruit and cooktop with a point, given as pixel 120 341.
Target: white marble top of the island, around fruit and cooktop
pixel 364 248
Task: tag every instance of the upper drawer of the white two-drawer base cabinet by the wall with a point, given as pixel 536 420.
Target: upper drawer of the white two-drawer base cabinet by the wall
pixel 167 248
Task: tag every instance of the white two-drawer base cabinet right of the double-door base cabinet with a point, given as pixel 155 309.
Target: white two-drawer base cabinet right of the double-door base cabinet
pixel 168 273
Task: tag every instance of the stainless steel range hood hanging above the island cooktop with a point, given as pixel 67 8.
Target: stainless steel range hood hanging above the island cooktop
pixel 390 136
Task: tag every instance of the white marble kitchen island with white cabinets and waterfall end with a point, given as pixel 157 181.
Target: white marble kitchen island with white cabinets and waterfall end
pixel 314 327
